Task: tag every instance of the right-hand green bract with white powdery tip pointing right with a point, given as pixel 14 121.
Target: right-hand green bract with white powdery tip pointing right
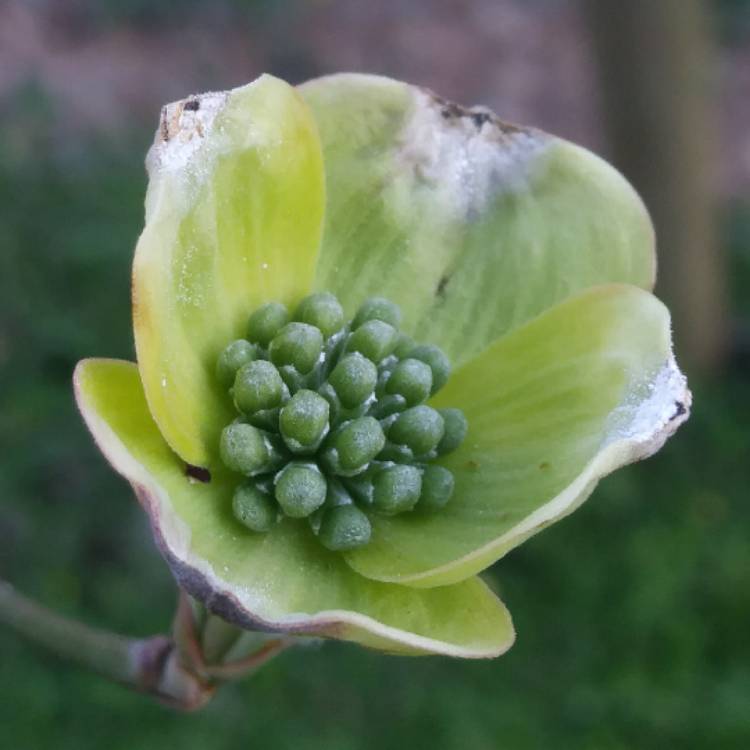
pixel 588 386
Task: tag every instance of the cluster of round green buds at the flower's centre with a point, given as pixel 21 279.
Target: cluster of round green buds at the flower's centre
pixel 332 421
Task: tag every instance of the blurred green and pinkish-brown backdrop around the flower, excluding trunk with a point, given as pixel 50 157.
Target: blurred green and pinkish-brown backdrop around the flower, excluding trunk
pixel 633 615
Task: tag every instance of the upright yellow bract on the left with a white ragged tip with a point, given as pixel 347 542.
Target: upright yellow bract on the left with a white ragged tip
pixel 233 219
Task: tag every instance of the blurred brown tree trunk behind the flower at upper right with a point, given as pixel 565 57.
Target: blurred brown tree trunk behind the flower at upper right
pixel 656 67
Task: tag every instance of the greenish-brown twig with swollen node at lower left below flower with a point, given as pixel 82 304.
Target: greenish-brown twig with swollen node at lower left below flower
pixel 149 665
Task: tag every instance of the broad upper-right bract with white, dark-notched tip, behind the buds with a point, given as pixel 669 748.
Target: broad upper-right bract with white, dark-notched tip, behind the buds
pixel 472 225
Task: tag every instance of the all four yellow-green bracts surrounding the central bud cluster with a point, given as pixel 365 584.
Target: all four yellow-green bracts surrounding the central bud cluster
pixel 527 259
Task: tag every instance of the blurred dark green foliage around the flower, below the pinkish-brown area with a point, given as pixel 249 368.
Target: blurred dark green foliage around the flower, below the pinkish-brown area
pixel 632 615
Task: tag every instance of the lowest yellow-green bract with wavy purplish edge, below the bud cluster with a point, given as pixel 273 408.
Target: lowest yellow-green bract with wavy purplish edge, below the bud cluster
pixel 283 580
